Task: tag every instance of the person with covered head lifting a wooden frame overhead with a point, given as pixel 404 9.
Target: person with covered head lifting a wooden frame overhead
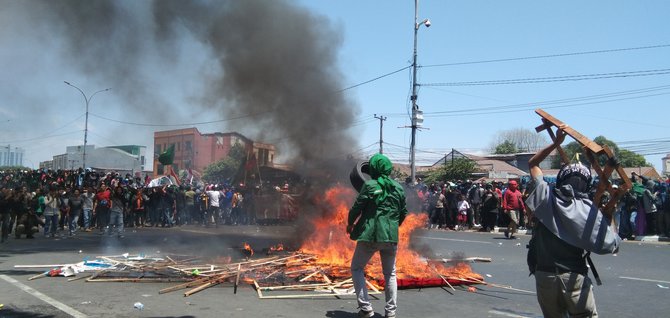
pixel 570 226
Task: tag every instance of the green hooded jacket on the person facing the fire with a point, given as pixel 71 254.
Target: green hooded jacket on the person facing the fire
pixel 380 207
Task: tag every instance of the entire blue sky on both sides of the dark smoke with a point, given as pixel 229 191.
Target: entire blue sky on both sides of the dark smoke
pixel 468 41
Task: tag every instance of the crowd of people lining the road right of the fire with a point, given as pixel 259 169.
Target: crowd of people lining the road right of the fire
pixel 483 206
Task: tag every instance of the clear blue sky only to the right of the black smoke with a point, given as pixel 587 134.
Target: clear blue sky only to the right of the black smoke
pixel 378 40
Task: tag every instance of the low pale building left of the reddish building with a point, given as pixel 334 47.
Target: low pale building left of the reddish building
pixel 125 158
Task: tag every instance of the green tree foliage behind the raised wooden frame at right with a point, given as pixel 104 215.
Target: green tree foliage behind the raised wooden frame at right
pixel 626 157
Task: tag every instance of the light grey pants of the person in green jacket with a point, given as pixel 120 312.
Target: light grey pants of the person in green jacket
pixel 362 254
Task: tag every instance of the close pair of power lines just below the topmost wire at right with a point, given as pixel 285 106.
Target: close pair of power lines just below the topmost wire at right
pixel 568 78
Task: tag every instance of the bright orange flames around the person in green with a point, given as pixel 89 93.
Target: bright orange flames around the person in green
pixel 334 248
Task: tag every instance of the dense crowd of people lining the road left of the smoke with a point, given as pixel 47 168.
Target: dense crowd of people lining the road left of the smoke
pixel 63 203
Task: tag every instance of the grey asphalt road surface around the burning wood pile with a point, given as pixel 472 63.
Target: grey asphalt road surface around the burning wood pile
pixel 635 282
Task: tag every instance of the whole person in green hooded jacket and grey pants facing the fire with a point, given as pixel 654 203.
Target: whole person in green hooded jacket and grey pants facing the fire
pixel 373 222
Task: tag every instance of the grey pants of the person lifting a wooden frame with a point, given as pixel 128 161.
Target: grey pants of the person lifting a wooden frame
pixel 565 295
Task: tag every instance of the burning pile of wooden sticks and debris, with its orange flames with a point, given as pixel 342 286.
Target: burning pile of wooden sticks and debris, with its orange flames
pixel 321 265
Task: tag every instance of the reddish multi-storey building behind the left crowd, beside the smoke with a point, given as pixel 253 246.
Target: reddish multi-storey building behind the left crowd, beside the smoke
pixel 195 151
